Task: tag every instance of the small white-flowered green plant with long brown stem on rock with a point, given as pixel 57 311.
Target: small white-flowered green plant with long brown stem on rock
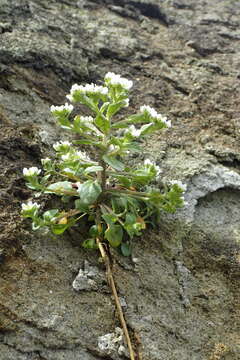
pixel 117 199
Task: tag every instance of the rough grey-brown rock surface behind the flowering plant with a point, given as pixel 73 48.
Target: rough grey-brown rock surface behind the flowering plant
pixel 182 293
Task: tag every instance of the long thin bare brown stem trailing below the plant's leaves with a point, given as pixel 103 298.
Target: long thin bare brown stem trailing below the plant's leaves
pixel 116 298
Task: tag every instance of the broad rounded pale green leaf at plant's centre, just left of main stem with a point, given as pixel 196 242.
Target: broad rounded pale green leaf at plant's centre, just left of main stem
pixel 89 191
